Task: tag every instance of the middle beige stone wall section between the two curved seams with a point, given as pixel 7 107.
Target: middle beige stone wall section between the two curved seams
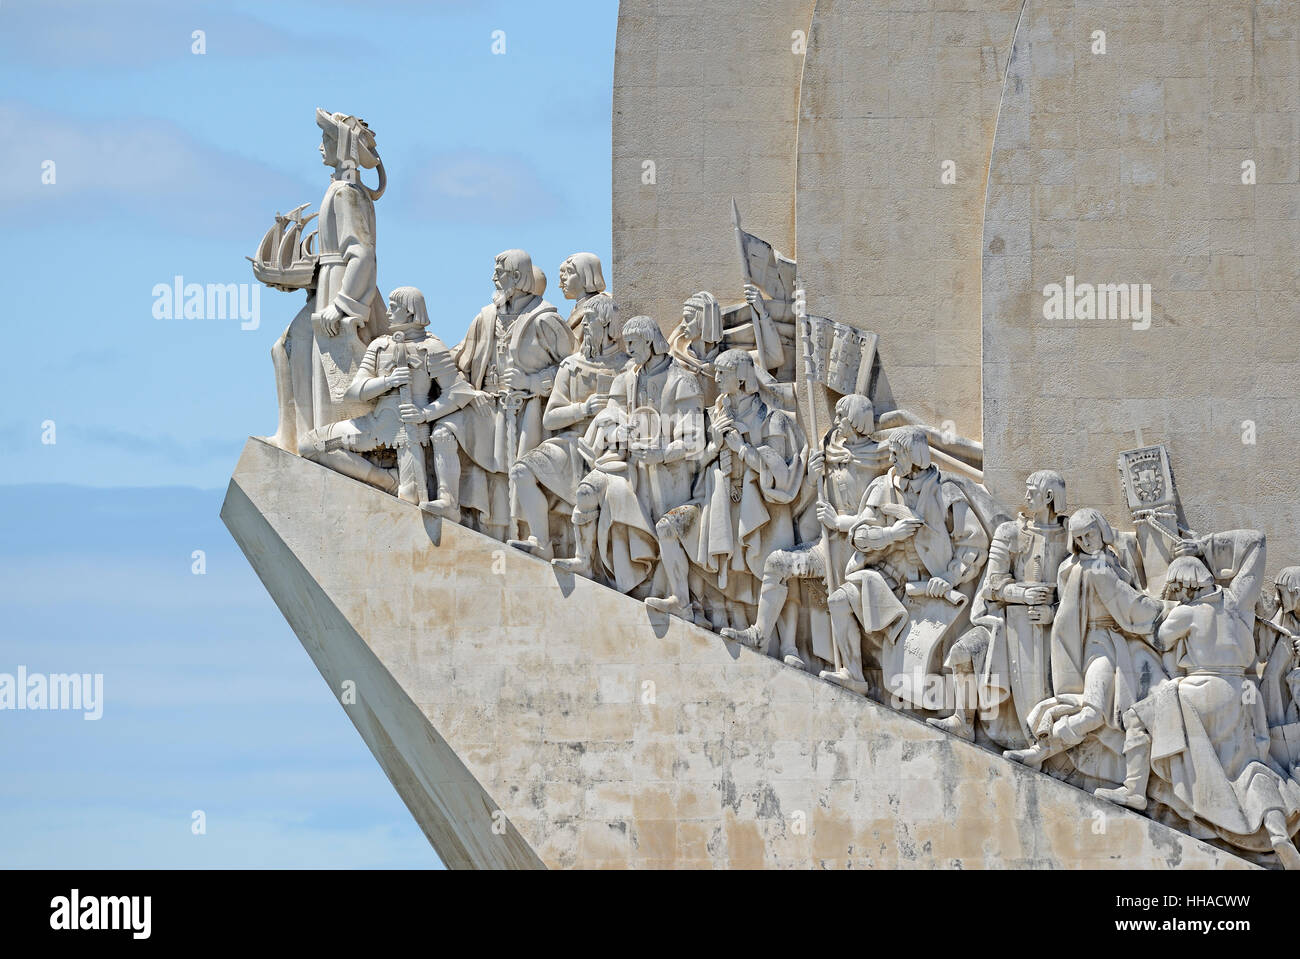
pixel 891 93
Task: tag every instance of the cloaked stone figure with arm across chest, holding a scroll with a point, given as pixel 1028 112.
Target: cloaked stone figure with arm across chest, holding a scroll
pixel 917 539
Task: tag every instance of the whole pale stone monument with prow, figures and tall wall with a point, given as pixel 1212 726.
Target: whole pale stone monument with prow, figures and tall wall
pixel 735 583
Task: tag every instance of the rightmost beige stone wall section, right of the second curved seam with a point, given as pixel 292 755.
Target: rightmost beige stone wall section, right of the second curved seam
pixel 1150 190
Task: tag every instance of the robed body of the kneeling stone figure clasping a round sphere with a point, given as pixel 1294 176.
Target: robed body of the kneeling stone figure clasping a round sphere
pixel 634 498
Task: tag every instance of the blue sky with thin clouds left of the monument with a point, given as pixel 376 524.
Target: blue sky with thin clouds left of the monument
pixel 168 163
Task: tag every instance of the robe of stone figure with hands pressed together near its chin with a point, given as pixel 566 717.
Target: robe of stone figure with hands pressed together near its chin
pixel 747 514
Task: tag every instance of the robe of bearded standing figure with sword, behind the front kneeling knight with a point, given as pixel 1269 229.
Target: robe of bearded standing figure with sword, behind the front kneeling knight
pixel 535 340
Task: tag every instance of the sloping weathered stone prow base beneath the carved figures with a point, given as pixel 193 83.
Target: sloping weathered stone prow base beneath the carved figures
pixel 488 682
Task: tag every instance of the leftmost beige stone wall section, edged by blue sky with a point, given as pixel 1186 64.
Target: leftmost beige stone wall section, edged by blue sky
pixel 709 94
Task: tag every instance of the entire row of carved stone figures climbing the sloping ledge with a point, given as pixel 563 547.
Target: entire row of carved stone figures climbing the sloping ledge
pixel 1149 667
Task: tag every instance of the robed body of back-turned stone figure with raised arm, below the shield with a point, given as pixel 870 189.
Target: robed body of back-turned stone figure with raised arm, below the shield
pixel 1210 737
